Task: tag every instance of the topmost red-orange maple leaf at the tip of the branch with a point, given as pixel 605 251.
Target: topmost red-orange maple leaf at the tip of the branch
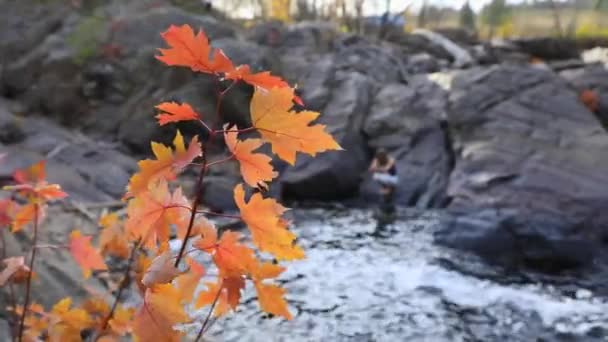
pixel 193 51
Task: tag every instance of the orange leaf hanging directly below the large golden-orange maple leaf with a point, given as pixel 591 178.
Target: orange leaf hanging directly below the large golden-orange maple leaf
pixel 255 167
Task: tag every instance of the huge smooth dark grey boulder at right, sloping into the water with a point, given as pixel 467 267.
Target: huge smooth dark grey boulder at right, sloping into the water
pixel 531 169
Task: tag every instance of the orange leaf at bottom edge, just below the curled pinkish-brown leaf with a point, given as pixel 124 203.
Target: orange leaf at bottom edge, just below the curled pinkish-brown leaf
pixel 161 311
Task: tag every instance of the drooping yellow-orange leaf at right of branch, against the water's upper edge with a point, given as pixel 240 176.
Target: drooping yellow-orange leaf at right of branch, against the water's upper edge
pixel 268 230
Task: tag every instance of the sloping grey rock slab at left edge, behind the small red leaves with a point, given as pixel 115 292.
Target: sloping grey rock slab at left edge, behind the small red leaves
pixel 88 171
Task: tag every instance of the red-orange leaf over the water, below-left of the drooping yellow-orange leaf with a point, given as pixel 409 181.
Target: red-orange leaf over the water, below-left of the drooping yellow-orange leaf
pixel 232 258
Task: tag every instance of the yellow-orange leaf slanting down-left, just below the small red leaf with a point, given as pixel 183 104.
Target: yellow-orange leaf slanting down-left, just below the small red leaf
pixel 167 165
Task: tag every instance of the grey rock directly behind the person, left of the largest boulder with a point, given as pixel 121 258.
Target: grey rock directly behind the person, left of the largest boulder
pixel 406 120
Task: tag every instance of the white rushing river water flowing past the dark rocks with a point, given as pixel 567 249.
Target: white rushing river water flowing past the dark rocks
pixel 358 285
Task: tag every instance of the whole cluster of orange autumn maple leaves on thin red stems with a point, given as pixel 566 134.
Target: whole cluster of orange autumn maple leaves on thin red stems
pixel 157 208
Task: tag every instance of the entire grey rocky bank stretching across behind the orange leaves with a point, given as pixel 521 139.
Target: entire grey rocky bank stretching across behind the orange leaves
pixel 505 144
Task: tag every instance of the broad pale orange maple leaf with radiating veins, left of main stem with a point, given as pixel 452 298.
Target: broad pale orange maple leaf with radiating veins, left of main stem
pixel 151 214
